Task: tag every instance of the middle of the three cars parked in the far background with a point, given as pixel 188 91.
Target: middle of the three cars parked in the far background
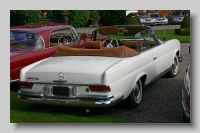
pixel 160 19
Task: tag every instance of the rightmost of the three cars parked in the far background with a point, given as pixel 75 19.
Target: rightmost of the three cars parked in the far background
pixel 176 17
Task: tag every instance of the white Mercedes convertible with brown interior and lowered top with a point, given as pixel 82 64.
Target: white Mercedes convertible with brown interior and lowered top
pixel 103 73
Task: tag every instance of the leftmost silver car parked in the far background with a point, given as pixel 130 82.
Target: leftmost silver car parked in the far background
pixel 142 18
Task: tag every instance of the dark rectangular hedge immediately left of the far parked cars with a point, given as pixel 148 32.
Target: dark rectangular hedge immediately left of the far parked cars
pixel 112 17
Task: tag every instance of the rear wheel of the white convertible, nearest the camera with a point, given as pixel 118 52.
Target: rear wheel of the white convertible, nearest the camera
pixel 135 97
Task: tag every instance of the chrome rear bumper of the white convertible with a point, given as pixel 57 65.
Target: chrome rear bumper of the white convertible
pixel 80 100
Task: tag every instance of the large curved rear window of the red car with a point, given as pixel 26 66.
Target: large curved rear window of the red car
pixel 25 40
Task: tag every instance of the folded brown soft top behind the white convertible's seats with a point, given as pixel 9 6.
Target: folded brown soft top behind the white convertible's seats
pixel 121 51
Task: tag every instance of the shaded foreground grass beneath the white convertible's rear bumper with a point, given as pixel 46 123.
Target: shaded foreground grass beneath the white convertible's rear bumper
pixel 25 112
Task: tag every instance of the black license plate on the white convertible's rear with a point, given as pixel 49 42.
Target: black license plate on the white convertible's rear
pixel 60 91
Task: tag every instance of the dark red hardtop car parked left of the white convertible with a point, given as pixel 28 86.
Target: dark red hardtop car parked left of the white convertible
pixel 31 43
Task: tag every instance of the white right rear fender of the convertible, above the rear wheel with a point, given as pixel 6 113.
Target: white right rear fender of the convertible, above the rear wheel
pixel 122 76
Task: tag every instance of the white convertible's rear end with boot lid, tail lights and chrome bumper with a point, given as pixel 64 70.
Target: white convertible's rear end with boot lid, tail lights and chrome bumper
pixel 72 80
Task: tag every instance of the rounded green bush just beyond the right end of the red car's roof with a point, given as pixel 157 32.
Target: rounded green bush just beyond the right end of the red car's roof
pixel 78 18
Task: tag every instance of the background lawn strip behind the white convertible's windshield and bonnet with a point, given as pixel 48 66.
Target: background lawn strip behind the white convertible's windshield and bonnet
pixel 170 34
